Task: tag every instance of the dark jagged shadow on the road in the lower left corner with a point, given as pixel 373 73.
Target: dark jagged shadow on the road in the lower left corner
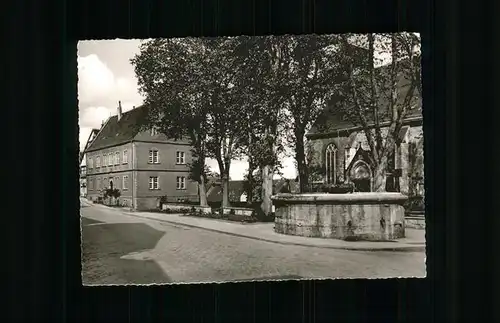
pixel 103 245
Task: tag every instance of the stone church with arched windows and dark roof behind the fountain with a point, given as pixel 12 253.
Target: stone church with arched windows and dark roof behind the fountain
pixel 339 153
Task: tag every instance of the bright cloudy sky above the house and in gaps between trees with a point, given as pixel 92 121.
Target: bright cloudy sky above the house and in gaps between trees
pixel 106 76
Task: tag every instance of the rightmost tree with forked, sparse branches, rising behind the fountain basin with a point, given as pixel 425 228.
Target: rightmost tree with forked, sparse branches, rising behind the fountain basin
pixel 378 99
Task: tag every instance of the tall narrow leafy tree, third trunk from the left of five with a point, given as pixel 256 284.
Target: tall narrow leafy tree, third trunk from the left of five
pixel 264 63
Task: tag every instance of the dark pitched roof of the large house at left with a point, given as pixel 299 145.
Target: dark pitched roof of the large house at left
pixel 116 131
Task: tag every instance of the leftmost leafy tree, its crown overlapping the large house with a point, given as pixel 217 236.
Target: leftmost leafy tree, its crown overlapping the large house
pixel 171 75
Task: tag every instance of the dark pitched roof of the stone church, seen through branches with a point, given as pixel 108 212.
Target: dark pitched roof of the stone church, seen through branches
pixel 331 119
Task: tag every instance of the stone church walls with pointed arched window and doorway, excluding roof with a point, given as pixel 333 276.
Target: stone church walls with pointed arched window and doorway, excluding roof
pixel 343 157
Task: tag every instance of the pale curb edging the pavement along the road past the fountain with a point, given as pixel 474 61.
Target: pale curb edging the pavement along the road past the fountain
pixel 399 249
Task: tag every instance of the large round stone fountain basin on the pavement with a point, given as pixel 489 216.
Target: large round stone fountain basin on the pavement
pixel 355 216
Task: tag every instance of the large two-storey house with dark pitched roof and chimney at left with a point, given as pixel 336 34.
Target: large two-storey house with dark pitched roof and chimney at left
pixel 144 165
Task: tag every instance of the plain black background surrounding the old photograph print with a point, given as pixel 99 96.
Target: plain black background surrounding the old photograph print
pixel 40 209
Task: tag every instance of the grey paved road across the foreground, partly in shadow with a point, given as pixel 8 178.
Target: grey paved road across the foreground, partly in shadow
pixel 120 249
